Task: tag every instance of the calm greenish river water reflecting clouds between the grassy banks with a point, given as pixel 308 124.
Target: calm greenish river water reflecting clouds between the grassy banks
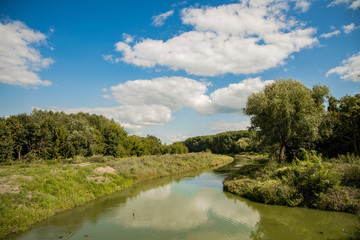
pixel 191 206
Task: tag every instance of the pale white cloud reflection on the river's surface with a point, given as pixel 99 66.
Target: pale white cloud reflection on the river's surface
pixel 181 207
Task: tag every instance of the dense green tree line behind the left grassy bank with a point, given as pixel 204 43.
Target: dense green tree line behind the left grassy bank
pixel 52 135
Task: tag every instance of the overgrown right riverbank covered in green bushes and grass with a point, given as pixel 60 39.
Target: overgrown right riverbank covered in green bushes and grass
pixel 311 182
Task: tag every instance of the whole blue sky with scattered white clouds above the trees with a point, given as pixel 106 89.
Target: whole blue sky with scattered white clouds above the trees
pixel 172 69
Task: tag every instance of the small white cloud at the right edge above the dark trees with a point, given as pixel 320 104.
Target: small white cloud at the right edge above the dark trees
pixel 349 70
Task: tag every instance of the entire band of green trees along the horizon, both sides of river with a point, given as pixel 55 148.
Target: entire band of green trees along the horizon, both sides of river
pixel 285 118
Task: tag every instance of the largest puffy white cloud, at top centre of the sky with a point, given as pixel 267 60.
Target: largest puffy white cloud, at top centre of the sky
pixel 242 38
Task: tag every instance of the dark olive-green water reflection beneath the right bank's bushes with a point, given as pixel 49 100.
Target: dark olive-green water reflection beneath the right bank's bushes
pixel 278 222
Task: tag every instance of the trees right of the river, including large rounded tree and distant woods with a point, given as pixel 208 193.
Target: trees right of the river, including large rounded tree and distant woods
pixel 287 117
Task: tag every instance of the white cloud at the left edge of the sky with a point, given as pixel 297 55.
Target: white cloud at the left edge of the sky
pixel 19 59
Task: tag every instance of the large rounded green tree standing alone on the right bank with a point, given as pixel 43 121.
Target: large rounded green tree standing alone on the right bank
pixel 287 114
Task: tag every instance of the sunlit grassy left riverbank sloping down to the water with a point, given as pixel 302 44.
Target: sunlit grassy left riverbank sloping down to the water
pixel 32 192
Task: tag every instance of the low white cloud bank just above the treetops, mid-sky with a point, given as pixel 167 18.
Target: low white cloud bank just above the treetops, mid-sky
pixel 147 103
